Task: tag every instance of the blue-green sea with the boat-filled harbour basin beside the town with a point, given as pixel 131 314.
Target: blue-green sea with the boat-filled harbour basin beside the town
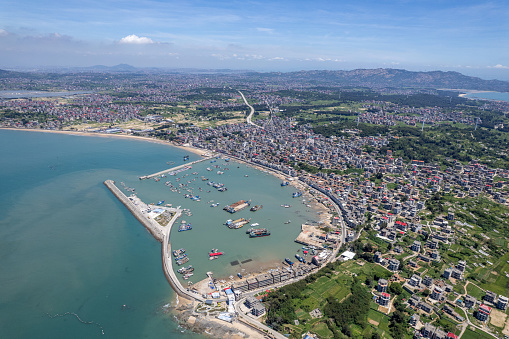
pixel 75 263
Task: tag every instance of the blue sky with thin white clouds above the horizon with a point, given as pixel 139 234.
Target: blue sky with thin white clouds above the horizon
pixel 471 37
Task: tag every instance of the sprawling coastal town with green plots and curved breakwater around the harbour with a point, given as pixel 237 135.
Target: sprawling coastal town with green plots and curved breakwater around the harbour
pixel 426 240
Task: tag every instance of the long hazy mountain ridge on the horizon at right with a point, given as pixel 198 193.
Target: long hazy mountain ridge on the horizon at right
pixel 387 77
